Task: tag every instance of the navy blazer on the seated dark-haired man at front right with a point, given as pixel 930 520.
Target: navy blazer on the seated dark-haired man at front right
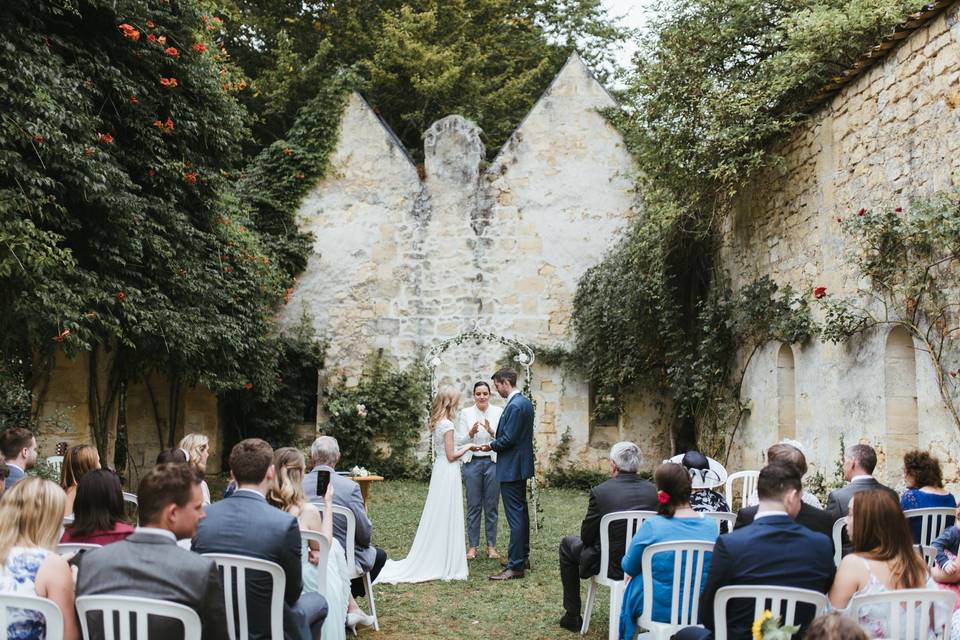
pixel 774 550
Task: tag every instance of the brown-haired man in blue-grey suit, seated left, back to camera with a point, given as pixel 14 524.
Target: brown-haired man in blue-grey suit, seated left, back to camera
pixel 245 524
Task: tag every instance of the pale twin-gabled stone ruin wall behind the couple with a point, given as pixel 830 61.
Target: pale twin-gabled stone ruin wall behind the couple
pixel 400 264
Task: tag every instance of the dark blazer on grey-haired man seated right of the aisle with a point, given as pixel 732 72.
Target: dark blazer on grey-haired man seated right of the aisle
pixel 625 492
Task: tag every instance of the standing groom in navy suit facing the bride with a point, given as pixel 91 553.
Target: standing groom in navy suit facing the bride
pixel 514 447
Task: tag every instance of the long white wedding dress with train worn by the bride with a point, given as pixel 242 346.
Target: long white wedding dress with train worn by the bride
pixel 437 552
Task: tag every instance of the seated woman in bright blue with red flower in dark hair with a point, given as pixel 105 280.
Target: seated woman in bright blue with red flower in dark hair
pixel 676 520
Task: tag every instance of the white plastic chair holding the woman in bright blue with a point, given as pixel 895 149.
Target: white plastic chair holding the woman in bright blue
pixel 689 560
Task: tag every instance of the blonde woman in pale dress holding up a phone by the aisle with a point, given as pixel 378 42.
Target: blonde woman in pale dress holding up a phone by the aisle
pixel 287 494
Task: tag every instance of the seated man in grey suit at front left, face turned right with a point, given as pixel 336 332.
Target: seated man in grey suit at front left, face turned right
pixel 149 564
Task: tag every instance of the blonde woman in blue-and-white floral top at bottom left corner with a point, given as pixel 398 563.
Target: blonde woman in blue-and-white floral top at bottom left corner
pixel 30 517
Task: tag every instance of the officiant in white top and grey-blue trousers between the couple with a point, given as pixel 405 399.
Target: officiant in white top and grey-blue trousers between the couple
pixel 478 425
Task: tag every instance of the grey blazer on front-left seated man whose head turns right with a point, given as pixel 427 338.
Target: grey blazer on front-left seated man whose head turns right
pixel 148 565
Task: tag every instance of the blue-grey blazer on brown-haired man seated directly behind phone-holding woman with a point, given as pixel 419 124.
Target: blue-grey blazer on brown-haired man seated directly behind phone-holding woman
pixel 246 525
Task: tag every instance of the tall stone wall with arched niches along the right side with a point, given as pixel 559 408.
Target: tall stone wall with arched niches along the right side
pixel 888 137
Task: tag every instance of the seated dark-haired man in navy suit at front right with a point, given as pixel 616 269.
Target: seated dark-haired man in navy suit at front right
pixel 774 550
